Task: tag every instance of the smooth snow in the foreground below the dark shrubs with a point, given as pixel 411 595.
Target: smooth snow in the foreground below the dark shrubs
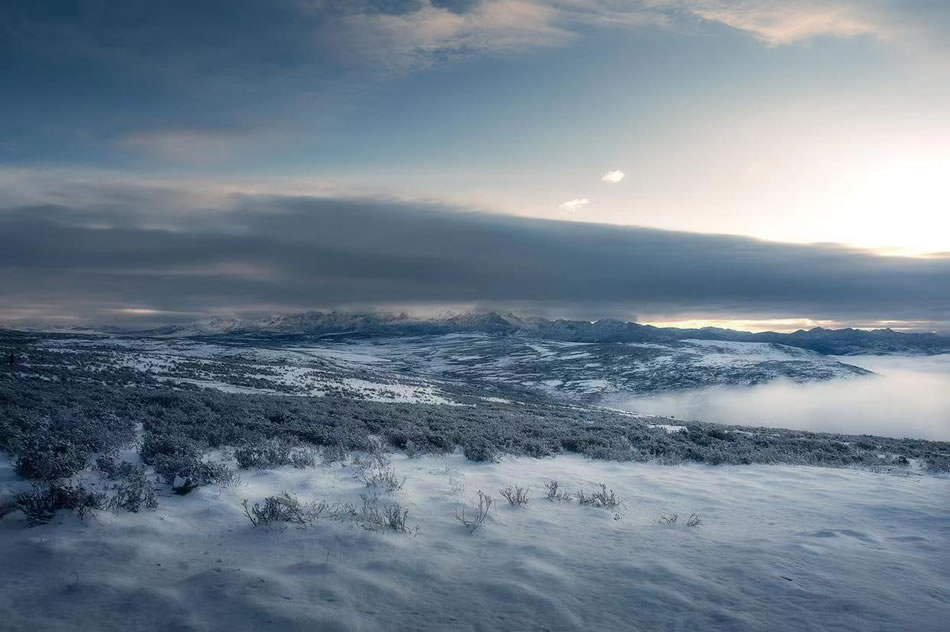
pixel 780 548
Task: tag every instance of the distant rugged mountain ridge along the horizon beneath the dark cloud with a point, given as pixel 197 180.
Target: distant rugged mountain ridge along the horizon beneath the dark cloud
pixel 825 341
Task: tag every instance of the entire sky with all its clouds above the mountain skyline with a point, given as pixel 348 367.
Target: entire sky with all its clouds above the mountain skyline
pixel 758 163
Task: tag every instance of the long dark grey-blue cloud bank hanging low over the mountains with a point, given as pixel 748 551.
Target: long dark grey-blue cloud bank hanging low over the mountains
pixel 99 249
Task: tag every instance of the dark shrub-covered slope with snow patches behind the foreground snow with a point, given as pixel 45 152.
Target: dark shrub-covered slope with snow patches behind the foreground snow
pixel 78 388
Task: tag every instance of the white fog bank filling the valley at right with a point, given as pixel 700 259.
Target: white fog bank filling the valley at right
pixel 908 397
